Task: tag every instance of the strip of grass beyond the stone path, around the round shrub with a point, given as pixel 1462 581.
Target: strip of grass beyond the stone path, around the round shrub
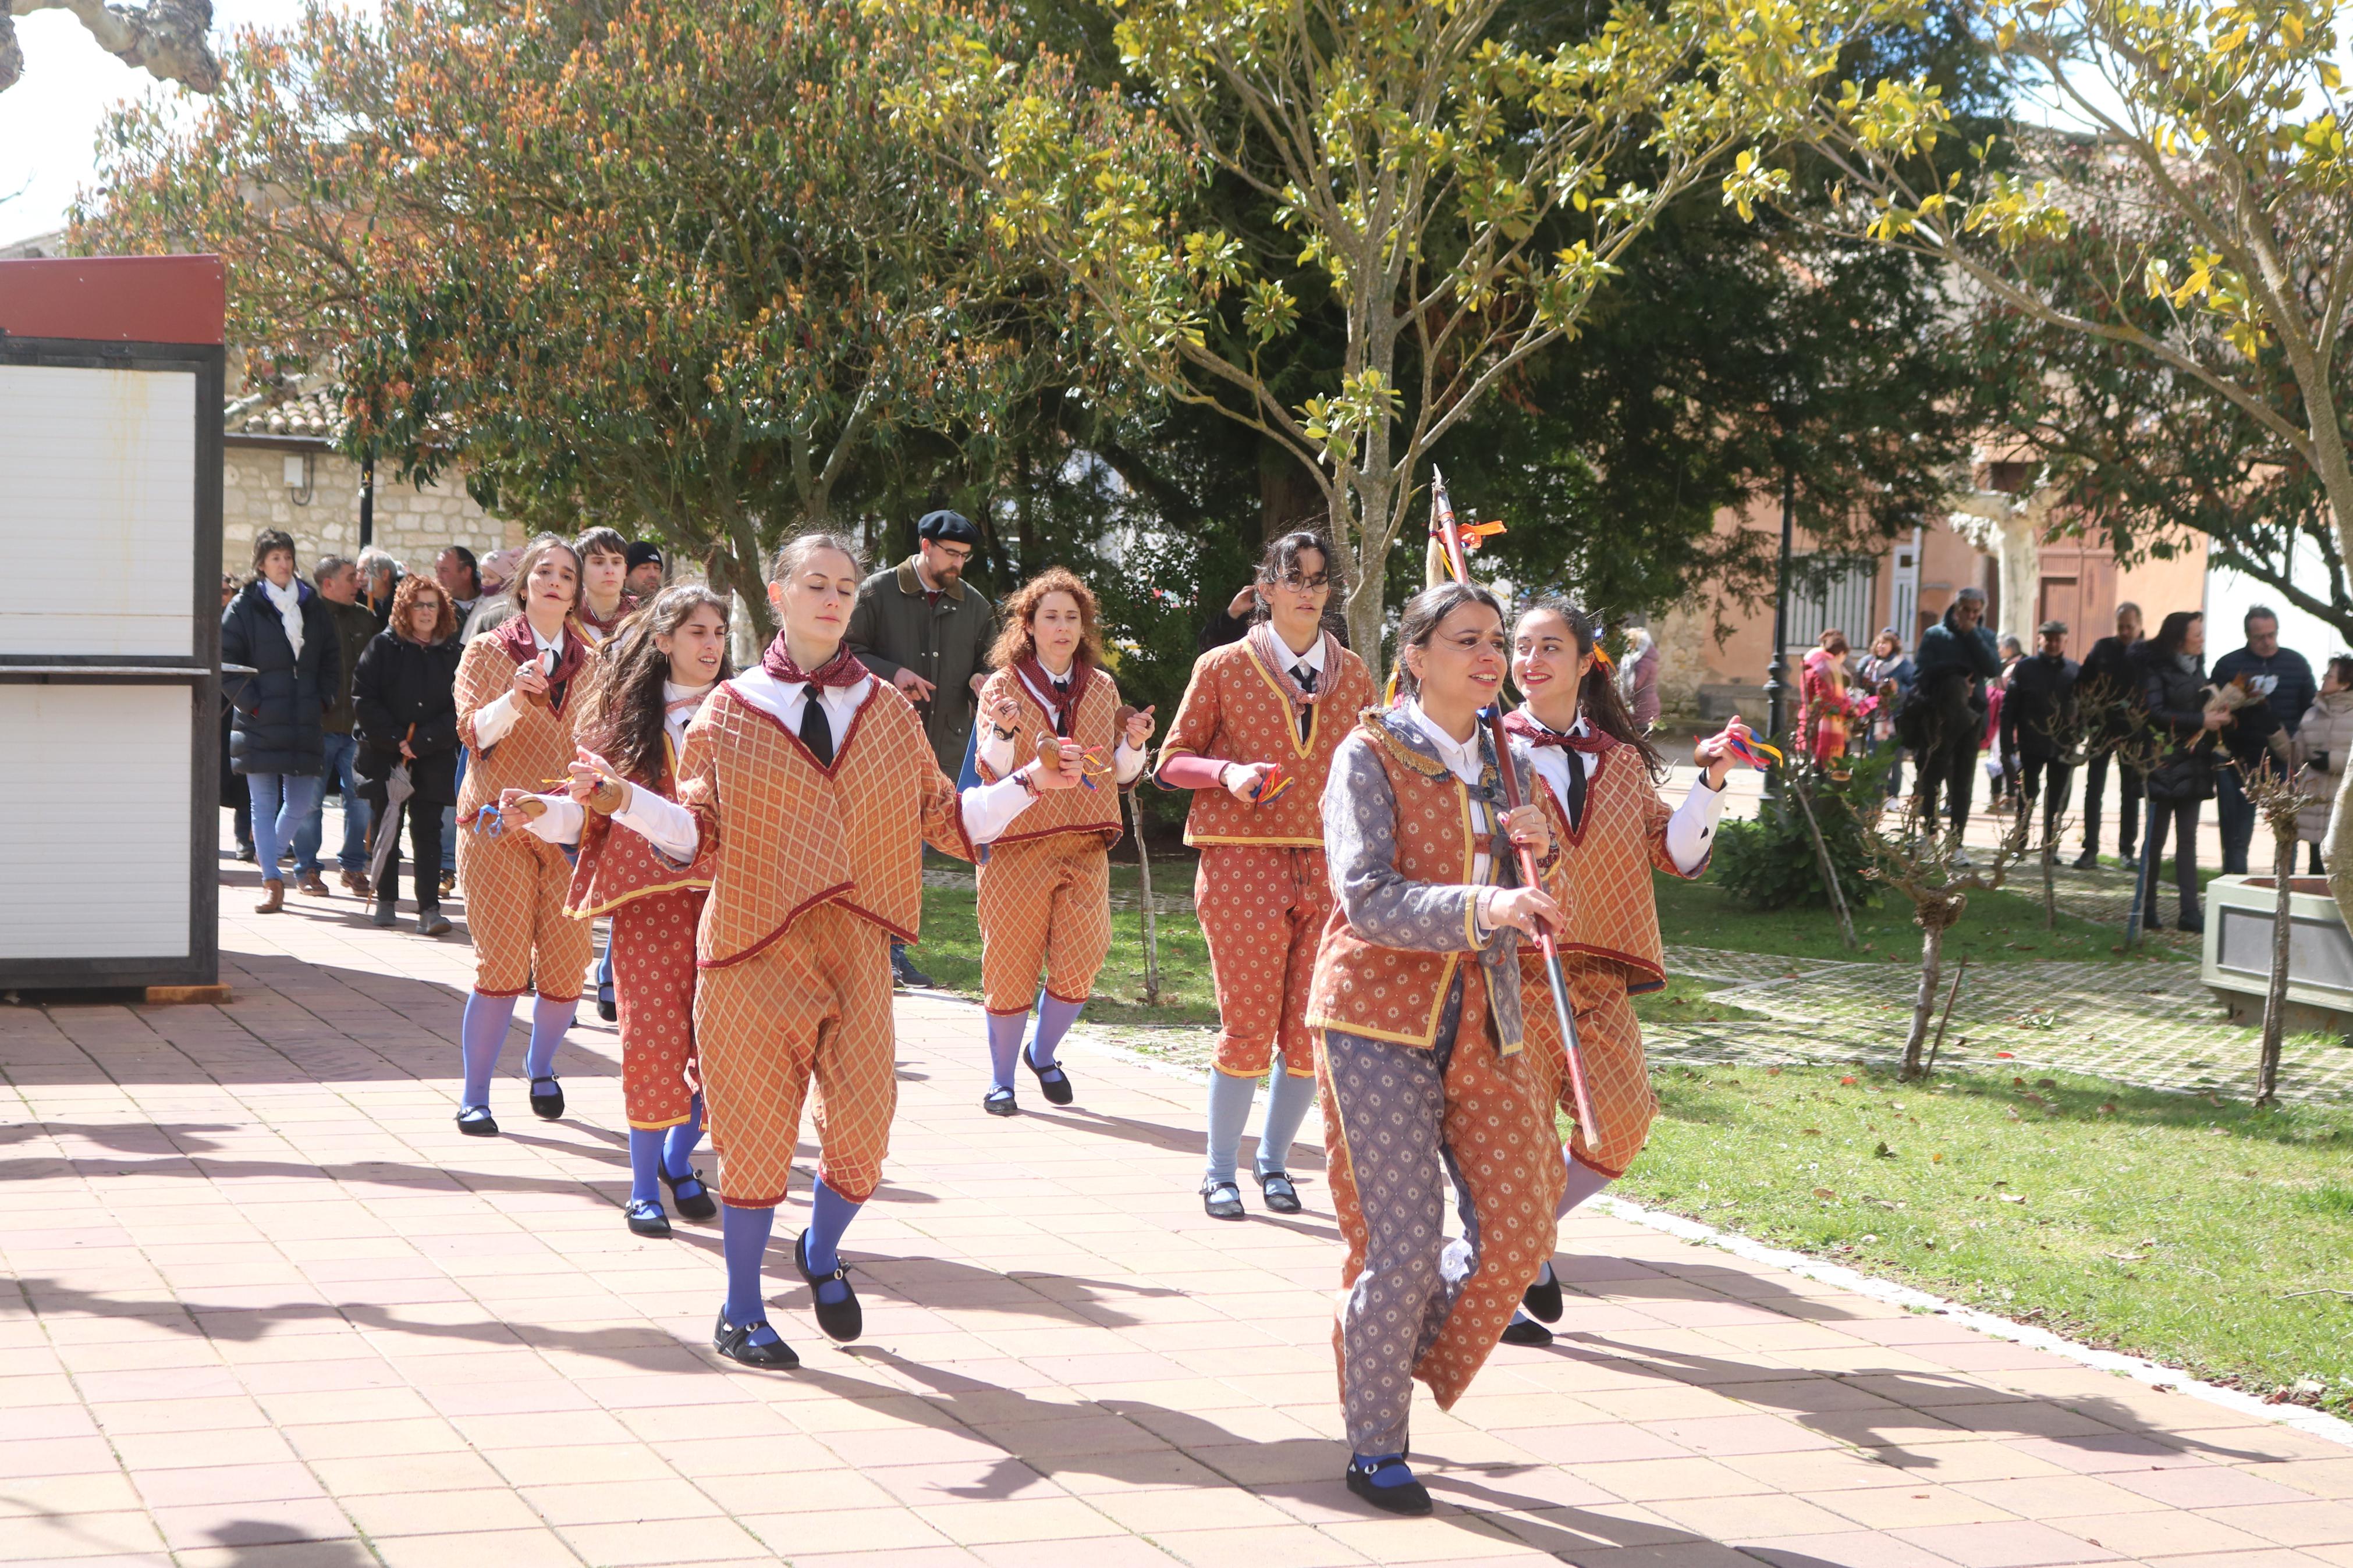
pixel 1999 927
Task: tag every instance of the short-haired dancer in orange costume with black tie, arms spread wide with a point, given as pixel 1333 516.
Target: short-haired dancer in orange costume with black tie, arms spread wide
pixel 811 791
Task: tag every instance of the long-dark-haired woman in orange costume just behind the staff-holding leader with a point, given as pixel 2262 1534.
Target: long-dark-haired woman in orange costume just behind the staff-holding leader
pixel 1604 777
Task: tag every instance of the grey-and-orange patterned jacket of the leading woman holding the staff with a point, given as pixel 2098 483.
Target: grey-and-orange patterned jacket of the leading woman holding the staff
pixel 1401 843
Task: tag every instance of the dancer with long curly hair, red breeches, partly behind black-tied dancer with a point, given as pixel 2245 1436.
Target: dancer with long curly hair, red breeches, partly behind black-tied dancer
pixel 658 674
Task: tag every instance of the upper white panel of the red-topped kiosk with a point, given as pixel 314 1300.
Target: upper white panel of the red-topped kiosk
pixel 98 483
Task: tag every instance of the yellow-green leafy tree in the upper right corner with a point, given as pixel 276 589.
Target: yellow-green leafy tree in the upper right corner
pixel 2227 121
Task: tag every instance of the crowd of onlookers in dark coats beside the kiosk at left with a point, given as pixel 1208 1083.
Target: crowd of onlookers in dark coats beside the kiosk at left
pixel 345 683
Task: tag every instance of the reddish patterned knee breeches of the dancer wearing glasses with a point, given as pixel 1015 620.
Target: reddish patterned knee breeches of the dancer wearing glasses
pixel 1262 913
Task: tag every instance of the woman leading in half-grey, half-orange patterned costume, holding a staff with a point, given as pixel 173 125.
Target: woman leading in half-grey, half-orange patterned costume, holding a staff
pixel 1418 1017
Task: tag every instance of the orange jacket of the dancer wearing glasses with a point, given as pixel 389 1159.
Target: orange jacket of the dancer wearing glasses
pixel 1234 711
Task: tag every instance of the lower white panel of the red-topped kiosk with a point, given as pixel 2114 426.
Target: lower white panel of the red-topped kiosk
pixel 95 822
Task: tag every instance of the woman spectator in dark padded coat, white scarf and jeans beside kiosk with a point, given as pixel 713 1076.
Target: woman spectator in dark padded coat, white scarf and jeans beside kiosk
pixel 276 737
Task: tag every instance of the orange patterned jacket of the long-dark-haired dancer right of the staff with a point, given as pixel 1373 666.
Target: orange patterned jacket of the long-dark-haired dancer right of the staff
pixel 1611 911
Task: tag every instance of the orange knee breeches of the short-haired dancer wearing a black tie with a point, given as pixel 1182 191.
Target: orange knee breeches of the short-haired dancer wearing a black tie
pixel 808 1007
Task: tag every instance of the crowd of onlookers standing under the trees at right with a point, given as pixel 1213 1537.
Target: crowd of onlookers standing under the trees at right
pixel 1968 706
